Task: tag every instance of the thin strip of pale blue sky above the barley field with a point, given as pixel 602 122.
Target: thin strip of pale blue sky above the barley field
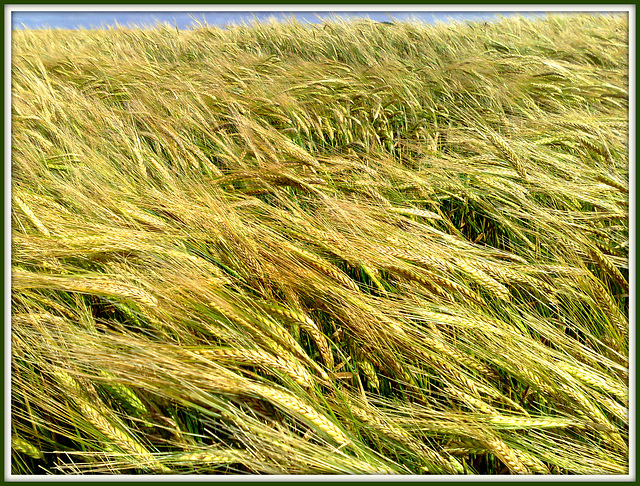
pixel 185 19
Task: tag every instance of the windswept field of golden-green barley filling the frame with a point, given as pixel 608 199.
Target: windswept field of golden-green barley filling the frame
pixel 339 248
